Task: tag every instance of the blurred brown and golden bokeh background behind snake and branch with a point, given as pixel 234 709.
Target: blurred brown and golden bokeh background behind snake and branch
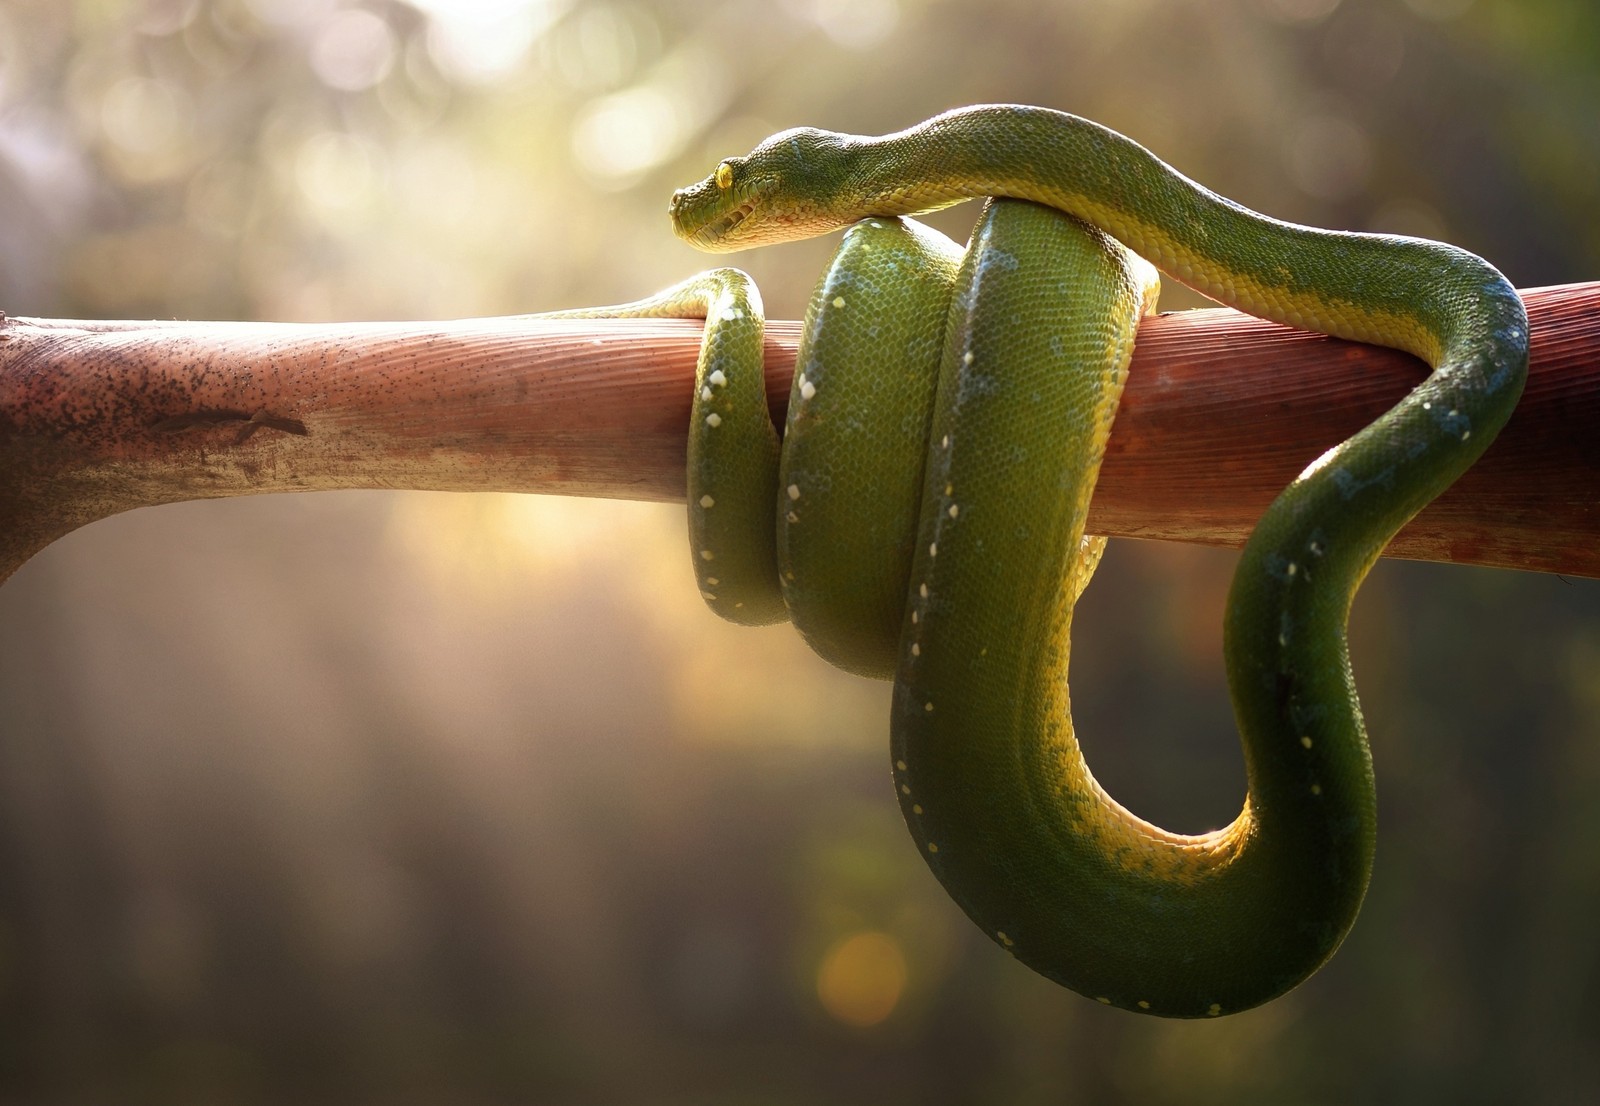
pixel 399 798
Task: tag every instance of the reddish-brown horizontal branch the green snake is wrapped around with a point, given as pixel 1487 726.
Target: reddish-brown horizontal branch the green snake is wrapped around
pixel 1220 414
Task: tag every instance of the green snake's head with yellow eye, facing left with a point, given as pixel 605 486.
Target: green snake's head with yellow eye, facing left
pixel 778 193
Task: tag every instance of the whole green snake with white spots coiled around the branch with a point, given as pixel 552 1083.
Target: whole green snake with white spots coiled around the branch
pixel 946 427
